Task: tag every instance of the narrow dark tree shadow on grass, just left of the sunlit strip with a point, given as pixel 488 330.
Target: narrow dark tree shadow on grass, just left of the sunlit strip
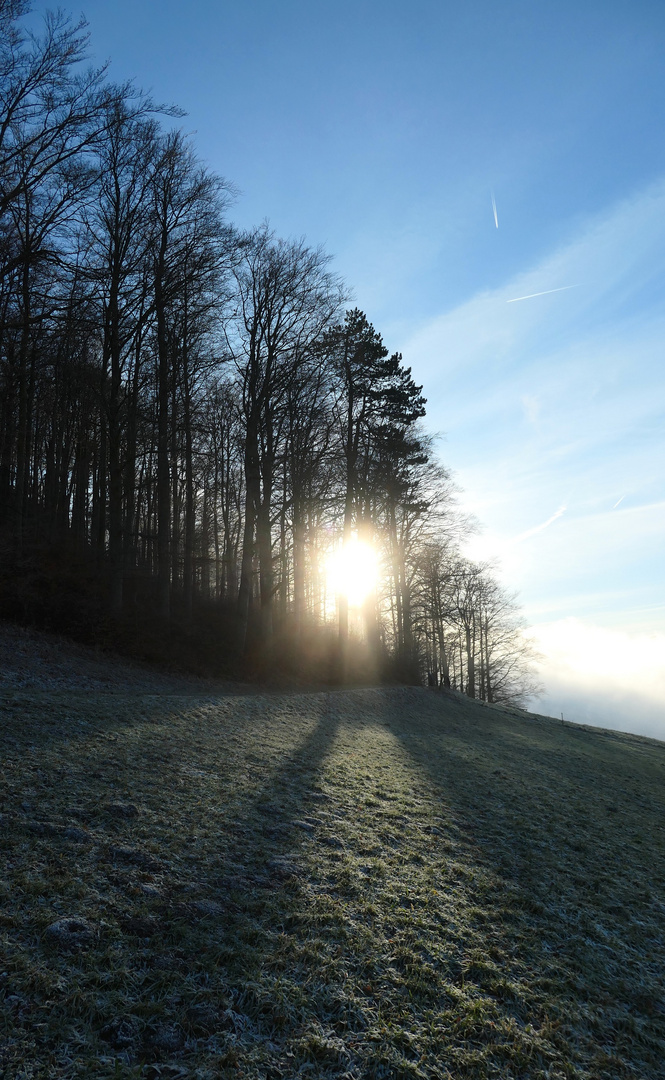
pixel 237 948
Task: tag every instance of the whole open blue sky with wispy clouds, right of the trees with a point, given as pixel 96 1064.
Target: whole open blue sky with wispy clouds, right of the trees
pixel 381 130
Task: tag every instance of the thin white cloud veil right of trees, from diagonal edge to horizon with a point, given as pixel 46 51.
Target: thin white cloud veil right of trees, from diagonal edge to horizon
pixel 561 402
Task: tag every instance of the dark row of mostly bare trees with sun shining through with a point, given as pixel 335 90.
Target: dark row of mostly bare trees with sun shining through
pixel 191 421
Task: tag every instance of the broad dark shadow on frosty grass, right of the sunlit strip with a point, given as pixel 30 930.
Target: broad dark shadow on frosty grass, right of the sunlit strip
pixel 567 900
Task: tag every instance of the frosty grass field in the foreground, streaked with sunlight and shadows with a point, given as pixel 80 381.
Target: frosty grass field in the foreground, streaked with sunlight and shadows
pixel 385 883
